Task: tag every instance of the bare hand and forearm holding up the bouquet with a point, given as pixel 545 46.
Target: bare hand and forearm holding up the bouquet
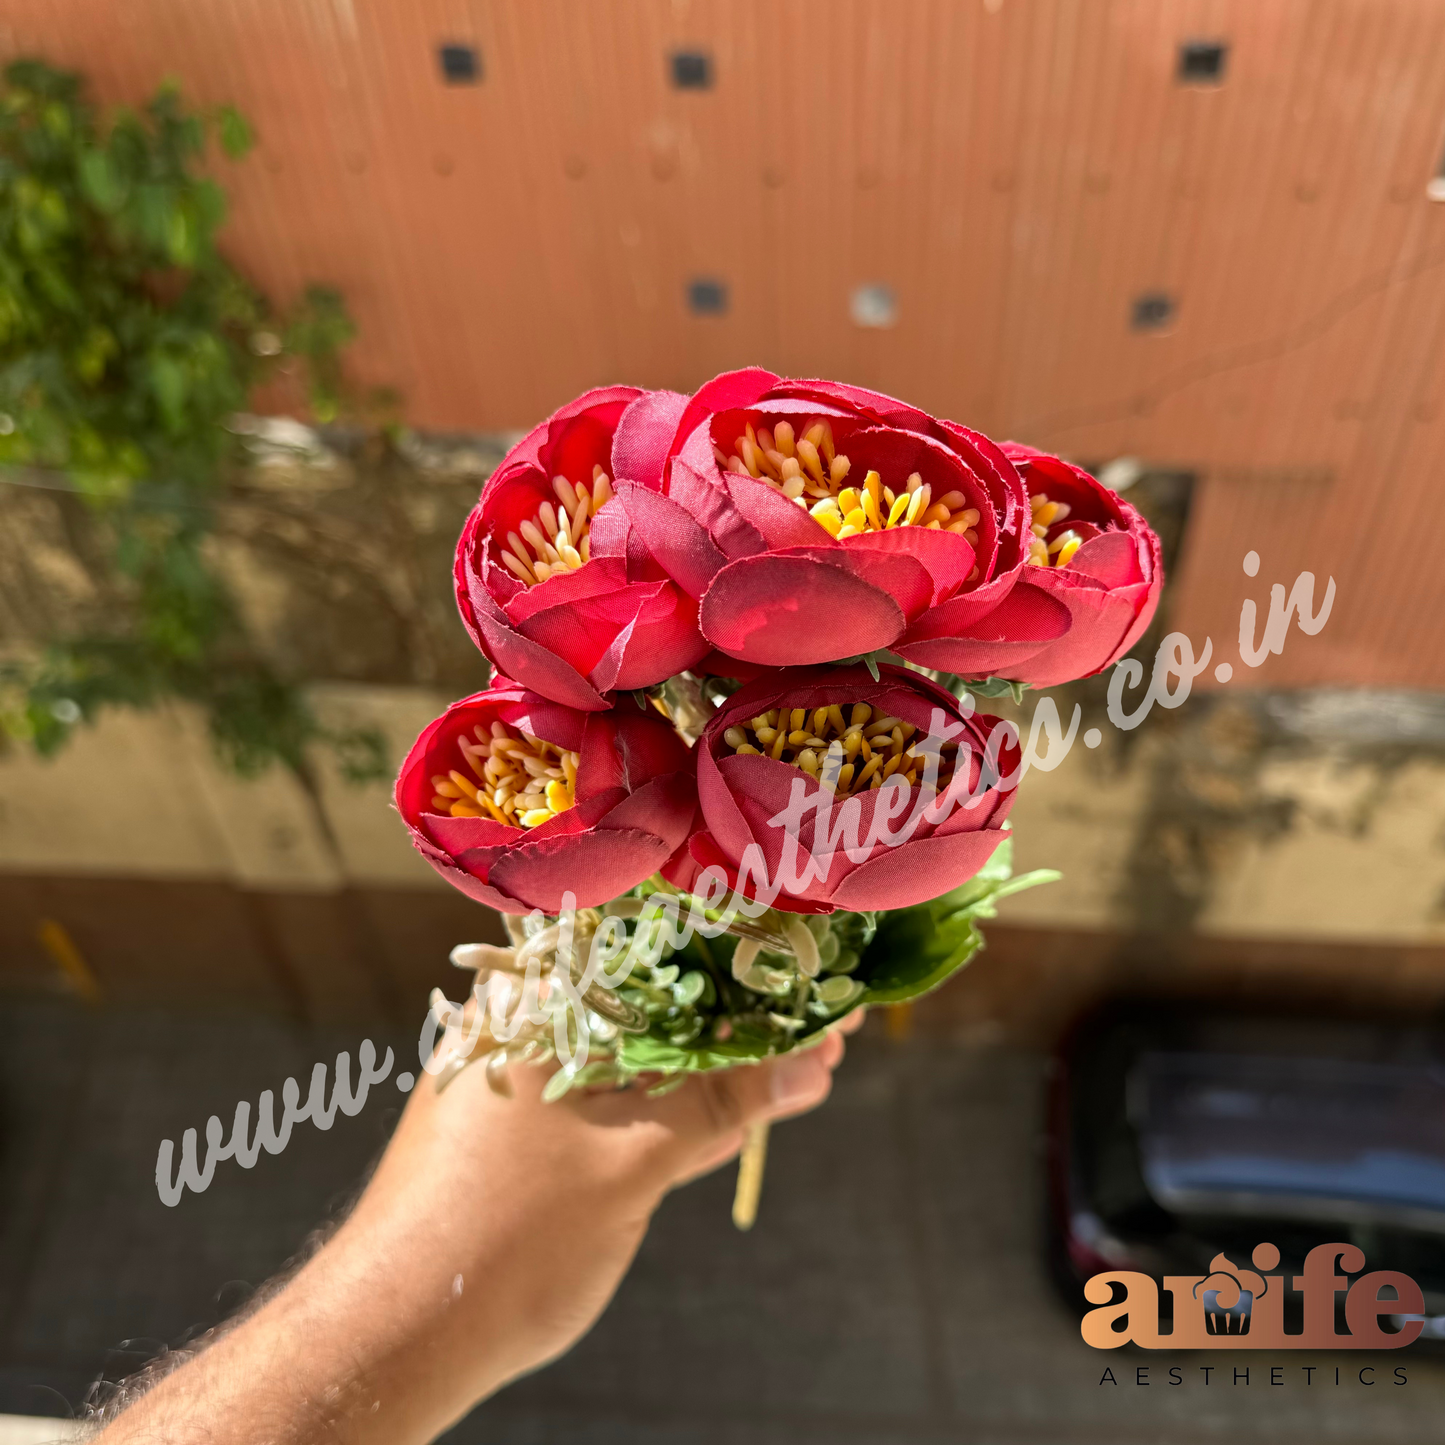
pixel 491 1239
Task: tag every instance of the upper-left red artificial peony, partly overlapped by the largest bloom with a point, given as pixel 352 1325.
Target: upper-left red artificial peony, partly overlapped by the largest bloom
pixel 553 583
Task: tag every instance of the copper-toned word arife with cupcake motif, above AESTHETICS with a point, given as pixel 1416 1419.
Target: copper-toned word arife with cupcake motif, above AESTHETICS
pixel 1233 1308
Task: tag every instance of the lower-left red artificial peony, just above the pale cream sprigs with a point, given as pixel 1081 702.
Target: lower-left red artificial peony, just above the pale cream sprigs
pixel 517 800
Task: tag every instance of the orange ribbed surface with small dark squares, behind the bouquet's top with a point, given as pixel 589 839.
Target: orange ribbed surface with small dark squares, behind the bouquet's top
pixel 1018 171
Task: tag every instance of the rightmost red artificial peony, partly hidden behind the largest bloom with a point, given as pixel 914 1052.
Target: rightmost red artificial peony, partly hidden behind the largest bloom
pixel 1092 553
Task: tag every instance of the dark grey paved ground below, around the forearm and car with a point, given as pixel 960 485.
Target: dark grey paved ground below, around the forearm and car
pixel 892 1293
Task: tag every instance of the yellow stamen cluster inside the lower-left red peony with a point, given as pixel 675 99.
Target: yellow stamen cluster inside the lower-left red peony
pixel 517 780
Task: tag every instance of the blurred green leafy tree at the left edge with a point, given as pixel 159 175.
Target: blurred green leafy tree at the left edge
pixel 126 343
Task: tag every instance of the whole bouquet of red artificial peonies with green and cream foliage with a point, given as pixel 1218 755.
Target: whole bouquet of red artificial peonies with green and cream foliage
pixel 715 820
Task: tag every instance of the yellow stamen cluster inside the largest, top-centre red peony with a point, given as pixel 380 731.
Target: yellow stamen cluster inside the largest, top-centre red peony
pixel 813 473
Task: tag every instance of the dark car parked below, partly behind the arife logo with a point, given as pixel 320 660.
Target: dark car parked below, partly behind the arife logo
pixel 1181 1132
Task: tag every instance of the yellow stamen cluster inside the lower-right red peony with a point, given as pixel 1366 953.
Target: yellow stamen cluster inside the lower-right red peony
pixel 850 755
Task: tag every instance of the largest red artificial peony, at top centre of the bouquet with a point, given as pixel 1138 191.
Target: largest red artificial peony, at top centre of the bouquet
pixel 814 521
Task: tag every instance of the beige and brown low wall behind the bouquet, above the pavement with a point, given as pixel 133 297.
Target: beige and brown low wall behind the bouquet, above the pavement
pixel 1215 836
